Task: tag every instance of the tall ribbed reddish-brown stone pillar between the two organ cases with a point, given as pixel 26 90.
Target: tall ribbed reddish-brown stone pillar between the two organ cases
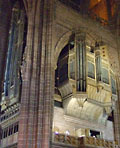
pixel 38 78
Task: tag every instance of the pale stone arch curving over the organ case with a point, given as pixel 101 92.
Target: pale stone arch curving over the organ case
pixel 90 37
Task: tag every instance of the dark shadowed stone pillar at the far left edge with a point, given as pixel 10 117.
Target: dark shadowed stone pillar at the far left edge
pixel 5 17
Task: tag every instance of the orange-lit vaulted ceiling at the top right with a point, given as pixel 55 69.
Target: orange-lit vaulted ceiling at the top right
pixel 105 9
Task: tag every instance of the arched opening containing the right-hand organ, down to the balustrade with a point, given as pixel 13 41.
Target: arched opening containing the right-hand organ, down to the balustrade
pixel 85 89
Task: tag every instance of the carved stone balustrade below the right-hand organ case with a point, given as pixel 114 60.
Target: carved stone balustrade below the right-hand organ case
pixel 83 141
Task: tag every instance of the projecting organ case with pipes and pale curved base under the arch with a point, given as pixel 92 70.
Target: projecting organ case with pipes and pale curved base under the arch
pixel 85 82
